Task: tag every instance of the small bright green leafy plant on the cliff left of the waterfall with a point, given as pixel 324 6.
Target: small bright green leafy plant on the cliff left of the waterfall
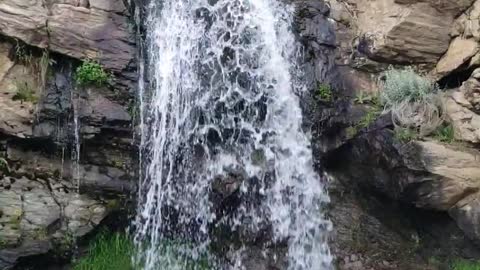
pixel 91 73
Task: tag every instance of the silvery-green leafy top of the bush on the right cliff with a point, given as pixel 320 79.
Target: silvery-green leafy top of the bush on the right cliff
pixel 405 85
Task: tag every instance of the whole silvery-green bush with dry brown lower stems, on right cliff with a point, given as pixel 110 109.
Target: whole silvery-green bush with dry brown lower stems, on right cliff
pixel 413 100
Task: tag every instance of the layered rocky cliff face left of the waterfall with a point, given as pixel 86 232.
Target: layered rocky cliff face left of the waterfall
pixel 41 44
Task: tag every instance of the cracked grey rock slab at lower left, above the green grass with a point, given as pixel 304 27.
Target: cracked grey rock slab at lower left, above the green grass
pixel 31 217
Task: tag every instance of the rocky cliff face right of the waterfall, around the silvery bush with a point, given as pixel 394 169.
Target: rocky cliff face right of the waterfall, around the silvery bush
pixel 371 166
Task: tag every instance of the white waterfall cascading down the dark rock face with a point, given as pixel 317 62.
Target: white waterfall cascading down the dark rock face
pixel 222 103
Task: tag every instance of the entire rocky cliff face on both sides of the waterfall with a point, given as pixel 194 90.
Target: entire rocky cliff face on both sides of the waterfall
pixel 395 205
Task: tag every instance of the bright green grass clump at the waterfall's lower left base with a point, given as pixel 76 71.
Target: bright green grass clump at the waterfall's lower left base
pixel 108 251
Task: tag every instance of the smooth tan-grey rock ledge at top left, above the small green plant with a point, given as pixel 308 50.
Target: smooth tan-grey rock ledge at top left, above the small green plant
pixel 99 31
